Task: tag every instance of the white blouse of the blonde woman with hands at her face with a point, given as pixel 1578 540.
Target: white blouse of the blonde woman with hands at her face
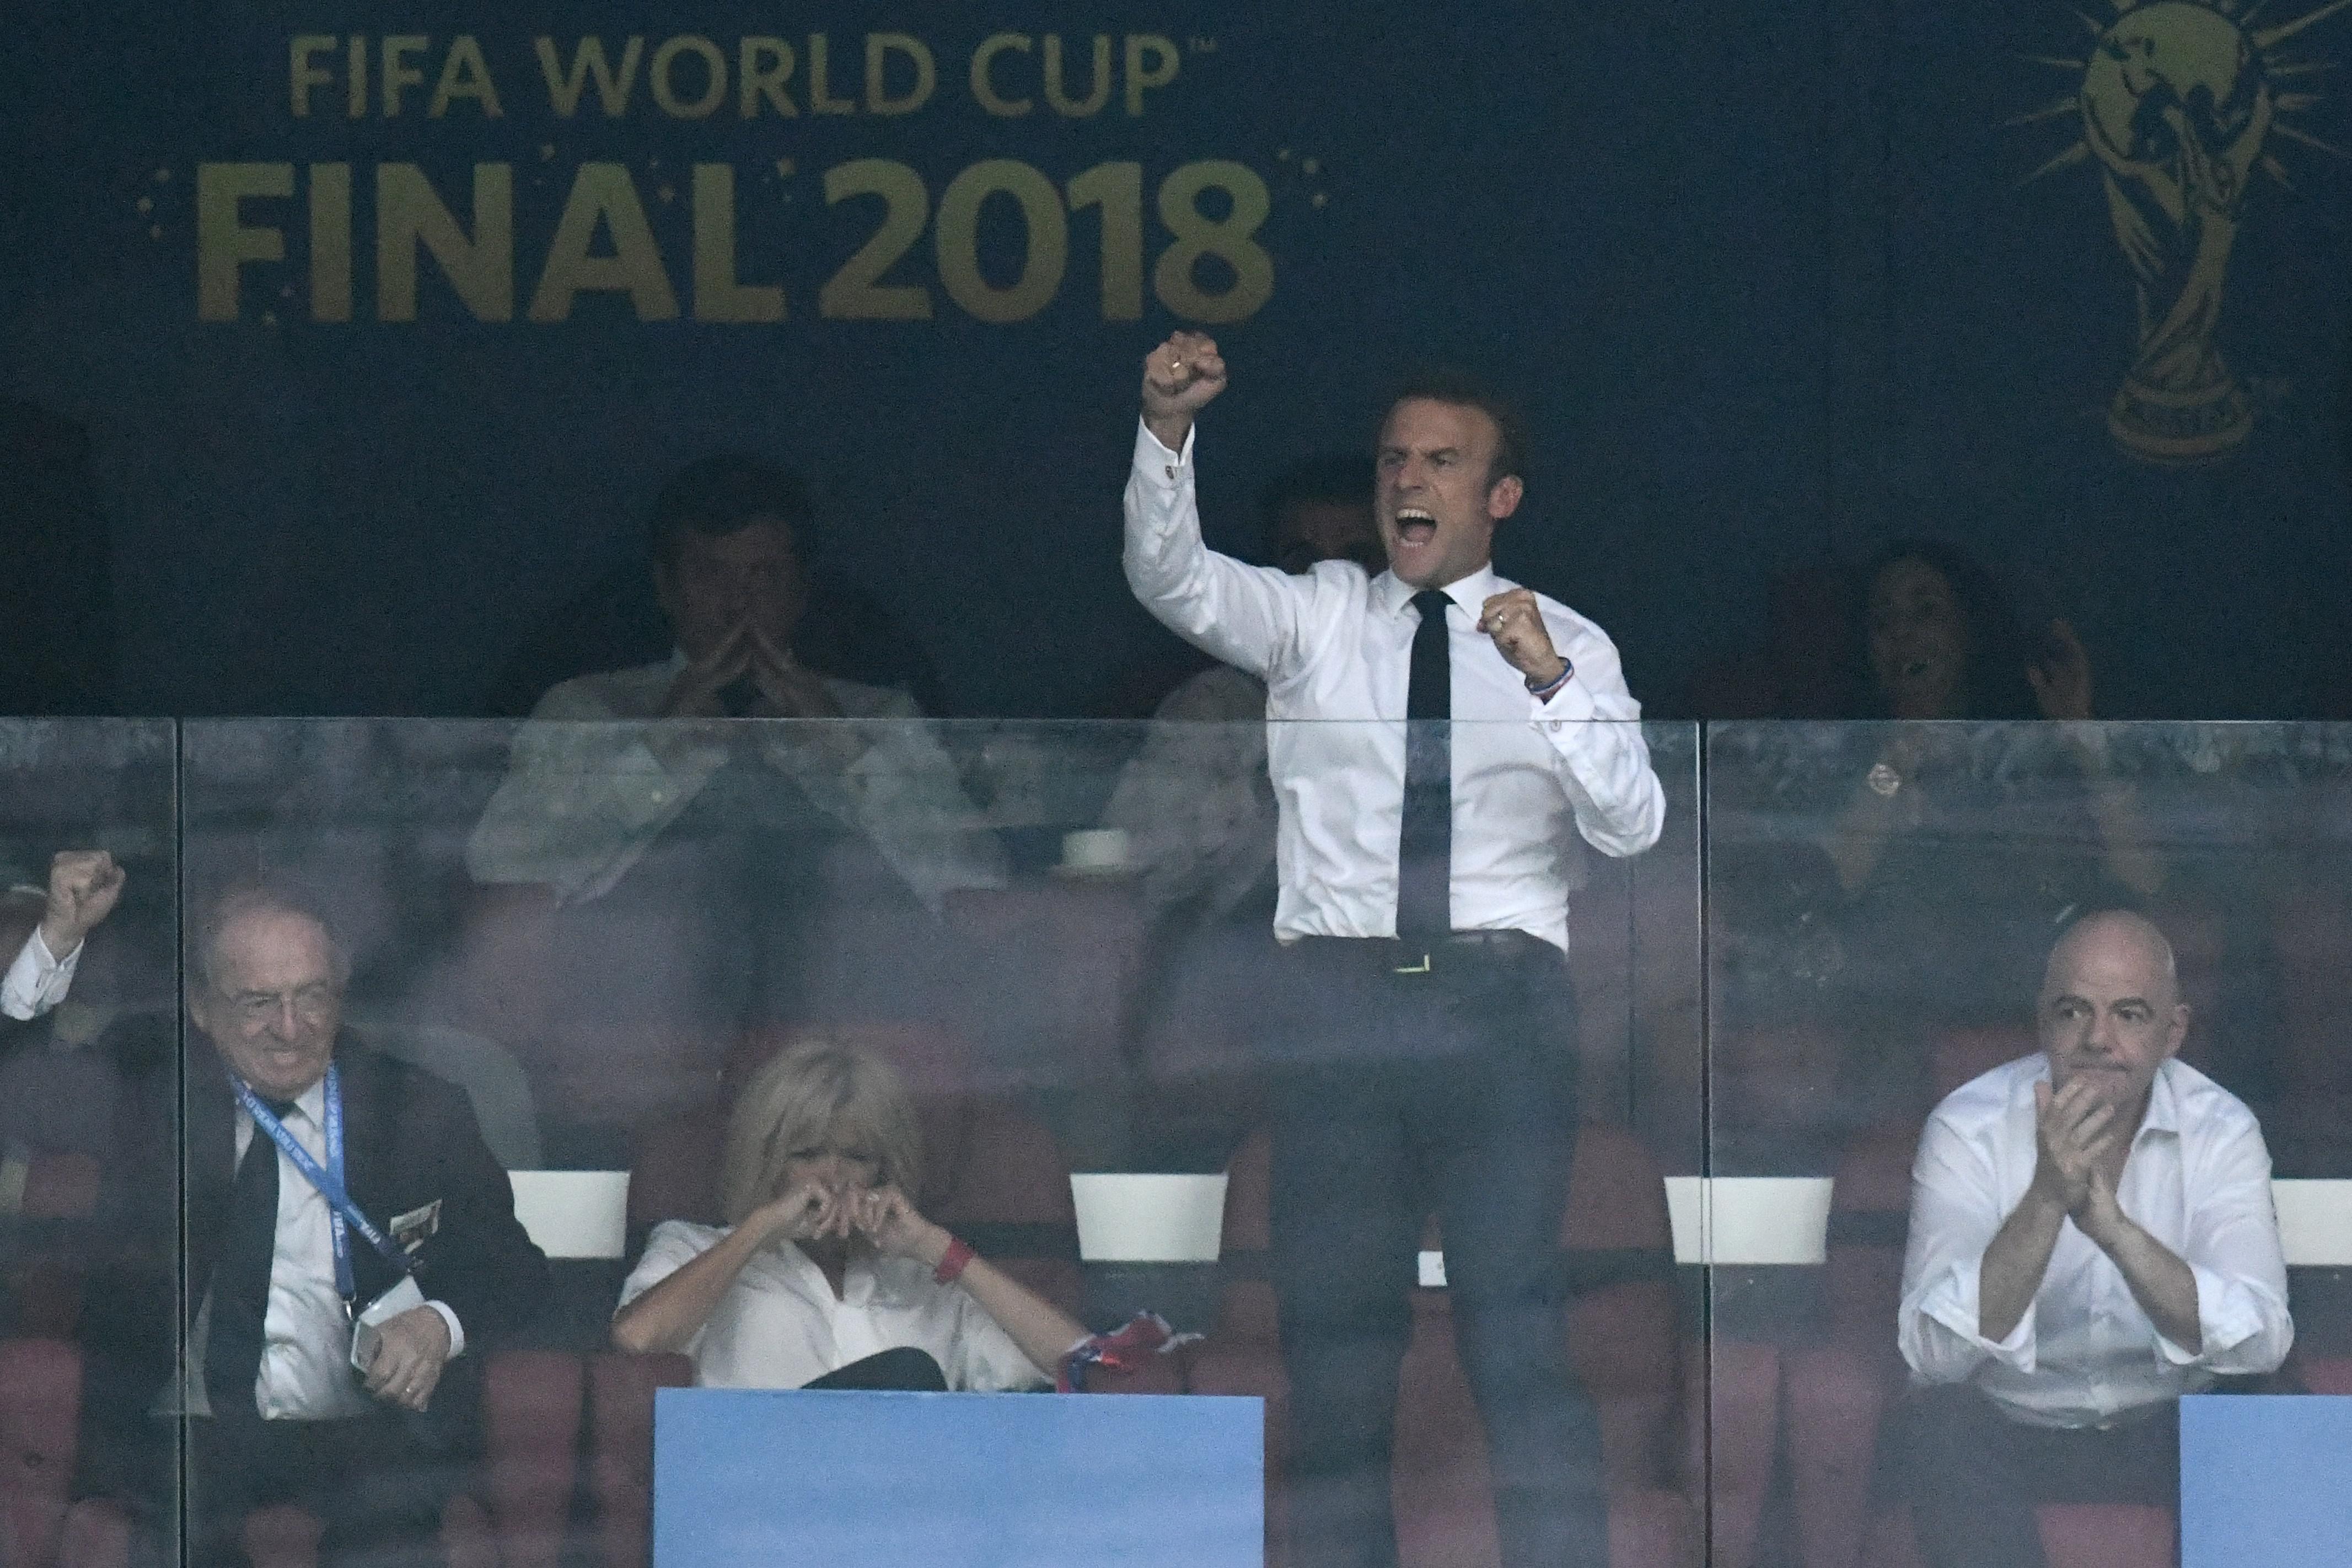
pixel 780 1327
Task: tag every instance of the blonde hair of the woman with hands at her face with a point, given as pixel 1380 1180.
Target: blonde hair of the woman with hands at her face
pixel 803 1094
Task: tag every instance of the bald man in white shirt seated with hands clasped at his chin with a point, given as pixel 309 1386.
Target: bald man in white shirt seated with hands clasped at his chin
pixel 2092 1238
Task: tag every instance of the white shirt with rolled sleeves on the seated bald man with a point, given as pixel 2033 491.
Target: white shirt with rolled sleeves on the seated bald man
pixel 2085 1353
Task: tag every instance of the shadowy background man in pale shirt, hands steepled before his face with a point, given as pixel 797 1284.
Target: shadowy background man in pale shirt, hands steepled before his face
pixel 690 871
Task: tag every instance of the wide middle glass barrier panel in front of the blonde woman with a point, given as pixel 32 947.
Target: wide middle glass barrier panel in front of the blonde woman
pixel 643 984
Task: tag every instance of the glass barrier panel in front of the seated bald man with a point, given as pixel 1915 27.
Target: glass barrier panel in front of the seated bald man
pixel 2029 1118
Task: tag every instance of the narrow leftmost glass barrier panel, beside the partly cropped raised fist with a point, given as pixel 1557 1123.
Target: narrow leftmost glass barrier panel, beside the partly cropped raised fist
pixel 88 1106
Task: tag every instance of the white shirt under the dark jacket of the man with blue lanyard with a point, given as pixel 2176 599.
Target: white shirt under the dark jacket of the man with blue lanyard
pixel 305 1334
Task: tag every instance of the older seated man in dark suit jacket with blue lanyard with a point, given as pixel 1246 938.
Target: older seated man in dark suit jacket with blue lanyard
pixel 276 1407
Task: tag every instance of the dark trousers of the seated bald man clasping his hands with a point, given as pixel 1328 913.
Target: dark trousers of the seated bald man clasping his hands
pixel 1975 1475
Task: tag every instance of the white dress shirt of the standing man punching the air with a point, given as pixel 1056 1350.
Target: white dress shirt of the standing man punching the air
pixel 1335 652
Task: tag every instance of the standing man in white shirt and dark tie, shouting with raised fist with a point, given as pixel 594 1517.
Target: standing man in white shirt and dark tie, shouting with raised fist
pixel 1426 1057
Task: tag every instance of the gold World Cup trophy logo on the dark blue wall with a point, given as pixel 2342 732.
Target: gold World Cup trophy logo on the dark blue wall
pixel 2177 105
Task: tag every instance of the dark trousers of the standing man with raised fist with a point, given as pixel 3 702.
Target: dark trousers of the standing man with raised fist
pixel 1455 1092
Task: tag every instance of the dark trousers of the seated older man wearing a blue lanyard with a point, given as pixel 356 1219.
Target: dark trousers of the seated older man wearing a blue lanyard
pixel 373 1482
